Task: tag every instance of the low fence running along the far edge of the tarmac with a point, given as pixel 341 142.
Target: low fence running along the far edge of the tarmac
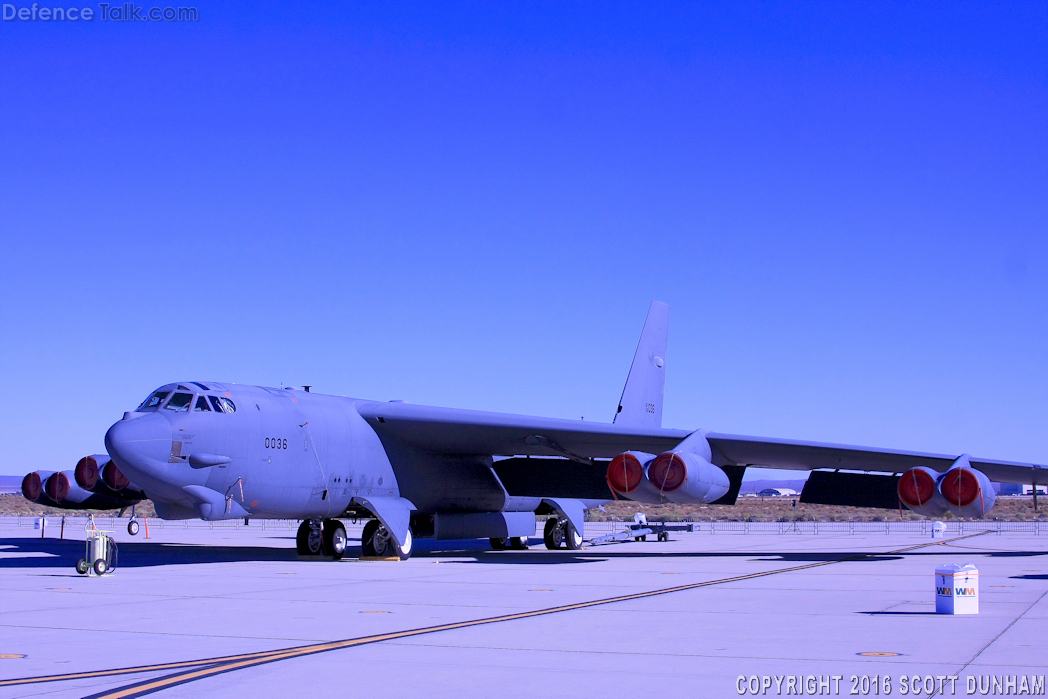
pixel 75 525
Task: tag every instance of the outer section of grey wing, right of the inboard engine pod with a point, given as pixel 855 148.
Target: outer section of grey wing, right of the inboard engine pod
pixel 804 456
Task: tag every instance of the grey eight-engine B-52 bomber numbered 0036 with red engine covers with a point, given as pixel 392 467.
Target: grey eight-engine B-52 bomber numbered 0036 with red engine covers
pixel 223 451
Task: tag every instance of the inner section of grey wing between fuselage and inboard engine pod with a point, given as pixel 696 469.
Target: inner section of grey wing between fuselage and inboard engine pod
pixel 468 432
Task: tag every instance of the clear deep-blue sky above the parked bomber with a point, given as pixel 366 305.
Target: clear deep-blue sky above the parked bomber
pixel 472 205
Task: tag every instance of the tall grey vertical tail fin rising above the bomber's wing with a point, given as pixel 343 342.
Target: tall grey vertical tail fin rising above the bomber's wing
pixel 642 402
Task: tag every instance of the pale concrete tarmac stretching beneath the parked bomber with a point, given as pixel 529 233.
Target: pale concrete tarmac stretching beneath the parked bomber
pixel 193 596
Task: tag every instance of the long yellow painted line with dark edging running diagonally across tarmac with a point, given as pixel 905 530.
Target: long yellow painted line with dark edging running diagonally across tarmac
pixel 211 667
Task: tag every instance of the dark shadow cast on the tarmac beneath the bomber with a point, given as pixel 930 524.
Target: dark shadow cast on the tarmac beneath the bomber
pixel 26 554
